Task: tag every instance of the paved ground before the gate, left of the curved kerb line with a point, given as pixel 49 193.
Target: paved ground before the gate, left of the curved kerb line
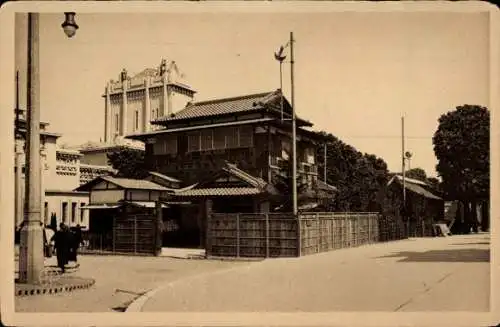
pixel 119 280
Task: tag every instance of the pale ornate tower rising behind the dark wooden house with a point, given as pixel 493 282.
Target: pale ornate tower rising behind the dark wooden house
pixel 131 103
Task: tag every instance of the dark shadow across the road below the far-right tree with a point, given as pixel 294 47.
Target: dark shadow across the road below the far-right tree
pixel 459 255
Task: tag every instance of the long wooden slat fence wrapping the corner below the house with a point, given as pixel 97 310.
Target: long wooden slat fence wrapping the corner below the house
pixel 279 235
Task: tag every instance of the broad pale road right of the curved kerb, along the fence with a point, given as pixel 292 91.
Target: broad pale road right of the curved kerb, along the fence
pixel 432 274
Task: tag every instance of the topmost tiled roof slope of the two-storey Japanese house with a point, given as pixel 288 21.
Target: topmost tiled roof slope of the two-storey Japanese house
pixel 223 106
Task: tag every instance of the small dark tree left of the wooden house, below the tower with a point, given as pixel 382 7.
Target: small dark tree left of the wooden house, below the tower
pixel 129 163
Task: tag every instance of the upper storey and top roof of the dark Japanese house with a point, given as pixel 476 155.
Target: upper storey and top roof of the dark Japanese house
pixel 247 131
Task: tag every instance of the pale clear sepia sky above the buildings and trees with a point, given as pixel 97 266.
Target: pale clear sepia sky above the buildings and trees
pixel 356 73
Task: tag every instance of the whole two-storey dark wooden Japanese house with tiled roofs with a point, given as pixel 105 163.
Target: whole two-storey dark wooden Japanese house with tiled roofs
pixel 229 153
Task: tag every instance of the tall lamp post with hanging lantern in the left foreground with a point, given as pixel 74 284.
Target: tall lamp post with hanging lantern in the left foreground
pixel 31 257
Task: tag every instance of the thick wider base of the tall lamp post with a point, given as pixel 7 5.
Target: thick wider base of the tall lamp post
pixel 31 258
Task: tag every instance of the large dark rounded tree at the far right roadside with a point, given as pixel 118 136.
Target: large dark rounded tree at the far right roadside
pixel 461 144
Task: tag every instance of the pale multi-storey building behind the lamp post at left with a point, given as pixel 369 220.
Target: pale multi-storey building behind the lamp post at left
pixel 62 173
